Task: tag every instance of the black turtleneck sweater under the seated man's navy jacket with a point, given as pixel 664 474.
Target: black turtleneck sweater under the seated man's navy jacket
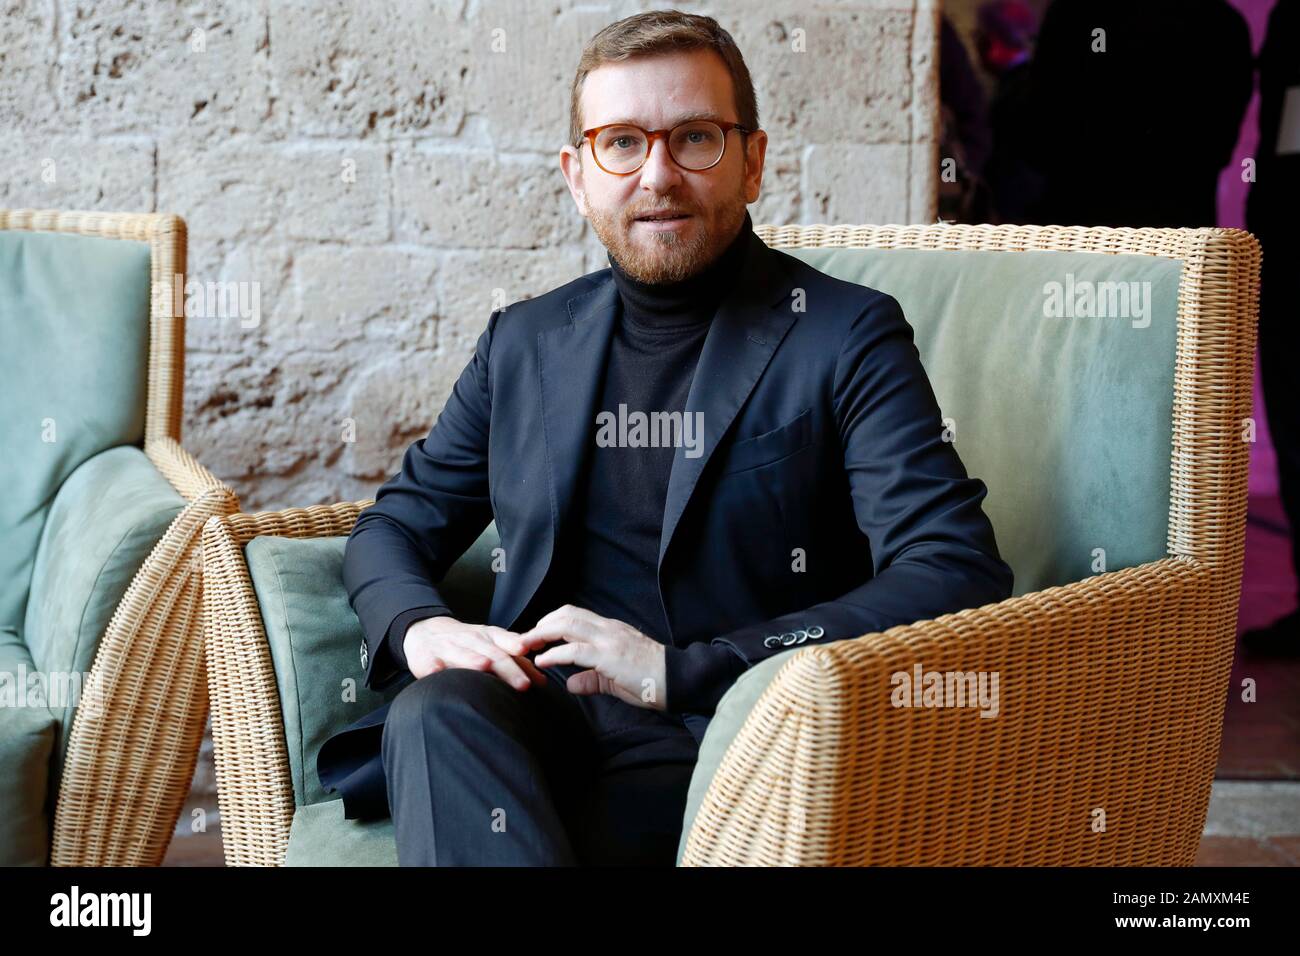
pixel 609 560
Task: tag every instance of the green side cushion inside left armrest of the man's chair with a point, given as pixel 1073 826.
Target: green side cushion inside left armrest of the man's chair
pixel 315 637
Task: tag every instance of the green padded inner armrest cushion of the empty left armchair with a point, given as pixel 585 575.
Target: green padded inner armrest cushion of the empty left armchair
pixel 102 525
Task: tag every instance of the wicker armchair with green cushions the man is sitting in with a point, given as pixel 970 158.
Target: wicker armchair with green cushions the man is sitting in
pixel 1111 440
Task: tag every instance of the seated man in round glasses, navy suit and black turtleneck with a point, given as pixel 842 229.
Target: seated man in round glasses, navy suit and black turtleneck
pixel 807 494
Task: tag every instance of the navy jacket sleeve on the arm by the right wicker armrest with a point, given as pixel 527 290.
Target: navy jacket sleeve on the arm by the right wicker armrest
pixel 933 546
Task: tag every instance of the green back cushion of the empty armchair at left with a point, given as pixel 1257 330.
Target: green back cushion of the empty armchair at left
pixel 75 318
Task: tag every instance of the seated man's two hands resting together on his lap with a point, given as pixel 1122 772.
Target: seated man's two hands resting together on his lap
pixel 621 660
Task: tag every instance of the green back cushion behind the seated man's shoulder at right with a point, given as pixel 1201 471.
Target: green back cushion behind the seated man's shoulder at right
pixel 1068 421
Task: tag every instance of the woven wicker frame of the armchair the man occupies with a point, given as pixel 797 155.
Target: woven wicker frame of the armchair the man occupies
pixel 1113 687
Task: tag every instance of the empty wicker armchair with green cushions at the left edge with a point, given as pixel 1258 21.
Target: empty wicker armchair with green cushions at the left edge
pixel 102 698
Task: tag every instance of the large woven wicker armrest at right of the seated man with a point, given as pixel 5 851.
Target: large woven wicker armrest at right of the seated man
pixel 1102 751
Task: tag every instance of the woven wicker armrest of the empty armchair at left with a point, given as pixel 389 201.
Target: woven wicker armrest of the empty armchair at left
pixel 132 760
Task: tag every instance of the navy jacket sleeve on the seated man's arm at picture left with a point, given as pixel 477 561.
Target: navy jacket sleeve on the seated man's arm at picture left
pixel 423 518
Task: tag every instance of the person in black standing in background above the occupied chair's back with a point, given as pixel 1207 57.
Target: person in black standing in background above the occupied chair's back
pixel 1137 109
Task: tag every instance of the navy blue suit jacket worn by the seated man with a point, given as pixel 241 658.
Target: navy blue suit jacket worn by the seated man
pixel 826 499
